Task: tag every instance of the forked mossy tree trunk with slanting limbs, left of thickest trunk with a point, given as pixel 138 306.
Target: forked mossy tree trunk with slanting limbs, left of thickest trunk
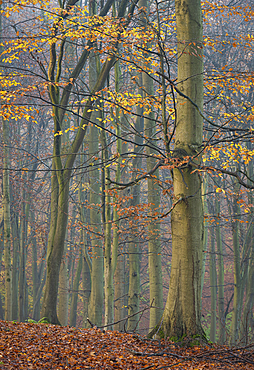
pixel 62 171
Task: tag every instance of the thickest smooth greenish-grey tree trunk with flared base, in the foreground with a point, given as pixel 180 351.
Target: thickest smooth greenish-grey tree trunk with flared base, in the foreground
pixel 182 314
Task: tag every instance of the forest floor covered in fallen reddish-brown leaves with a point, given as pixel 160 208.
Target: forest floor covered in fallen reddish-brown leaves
pixel 44 346
